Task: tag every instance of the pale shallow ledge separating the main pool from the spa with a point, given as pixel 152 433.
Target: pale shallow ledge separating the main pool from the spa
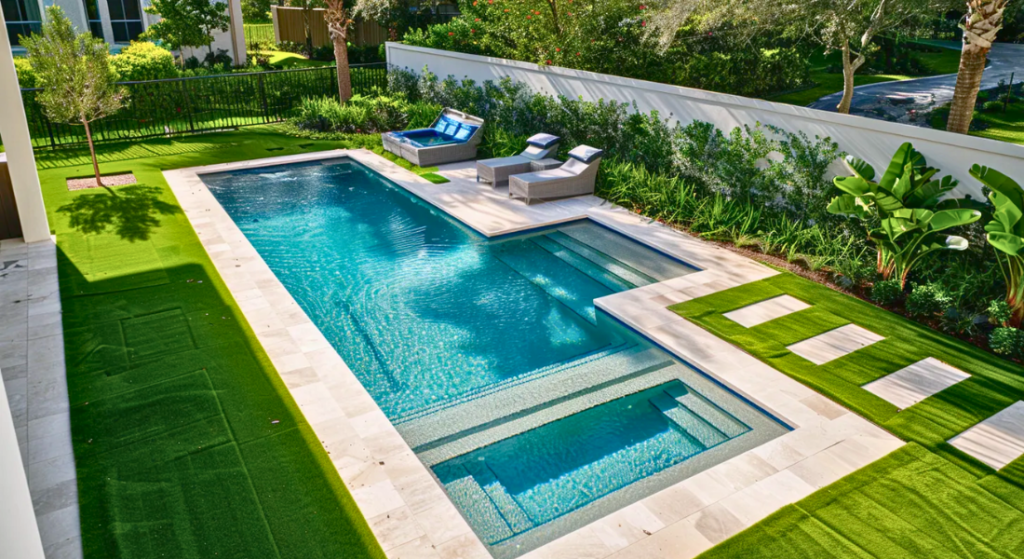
pixel 519 398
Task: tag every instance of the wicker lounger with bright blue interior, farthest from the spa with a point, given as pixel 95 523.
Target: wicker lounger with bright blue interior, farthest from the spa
pixel 454 137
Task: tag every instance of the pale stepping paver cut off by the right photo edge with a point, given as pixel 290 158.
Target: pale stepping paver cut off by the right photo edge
pixel 998 441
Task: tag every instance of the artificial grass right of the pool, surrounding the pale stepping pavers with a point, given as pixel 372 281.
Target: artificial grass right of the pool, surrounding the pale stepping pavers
pixel 928 500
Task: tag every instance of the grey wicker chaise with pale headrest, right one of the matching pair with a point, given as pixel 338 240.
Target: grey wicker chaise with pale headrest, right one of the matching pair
pixel 576 178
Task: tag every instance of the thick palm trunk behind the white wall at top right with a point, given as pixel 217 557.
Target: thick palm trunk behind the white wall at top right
pixel 984 21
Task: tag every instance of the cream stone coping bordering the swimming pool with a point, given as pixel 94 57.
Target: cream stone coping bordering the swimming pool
pixel 407 509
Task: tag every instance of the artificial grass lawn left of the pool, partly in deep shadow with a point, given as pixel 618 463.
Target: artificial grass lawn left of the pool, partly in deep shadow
pixel 187 443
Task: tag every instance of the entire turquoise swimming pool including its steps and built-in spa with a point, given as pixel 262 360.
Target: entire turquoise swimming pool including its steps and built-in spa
pixel 536 412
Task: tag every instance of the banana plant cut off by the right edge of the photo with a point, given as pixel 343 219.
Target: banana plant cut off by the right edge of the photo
pixel 1006 234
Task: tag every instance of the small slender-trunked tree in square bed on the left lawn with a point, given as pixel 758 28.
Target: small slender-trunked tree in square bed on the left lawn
pixel 78 85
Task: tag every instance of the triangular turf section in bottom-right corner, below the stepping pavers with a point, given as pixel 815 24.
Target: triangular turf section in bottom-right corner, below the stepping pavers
pixel 909 505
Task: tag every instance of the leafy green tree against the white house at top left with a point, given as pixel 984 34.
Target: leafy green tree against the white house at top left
pixel 186 24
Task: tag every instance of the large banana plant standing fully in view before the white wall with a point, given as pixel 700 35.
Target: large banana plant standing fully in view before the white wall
pixel 904 211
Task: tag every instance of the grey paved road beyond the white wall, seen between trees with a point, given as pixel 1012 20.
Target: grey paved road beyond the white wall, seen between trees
pixel 1005 59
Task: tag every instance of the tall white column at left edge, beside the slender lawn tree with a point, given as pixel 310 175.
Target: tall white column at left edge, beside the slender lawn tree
pixel 18 143
